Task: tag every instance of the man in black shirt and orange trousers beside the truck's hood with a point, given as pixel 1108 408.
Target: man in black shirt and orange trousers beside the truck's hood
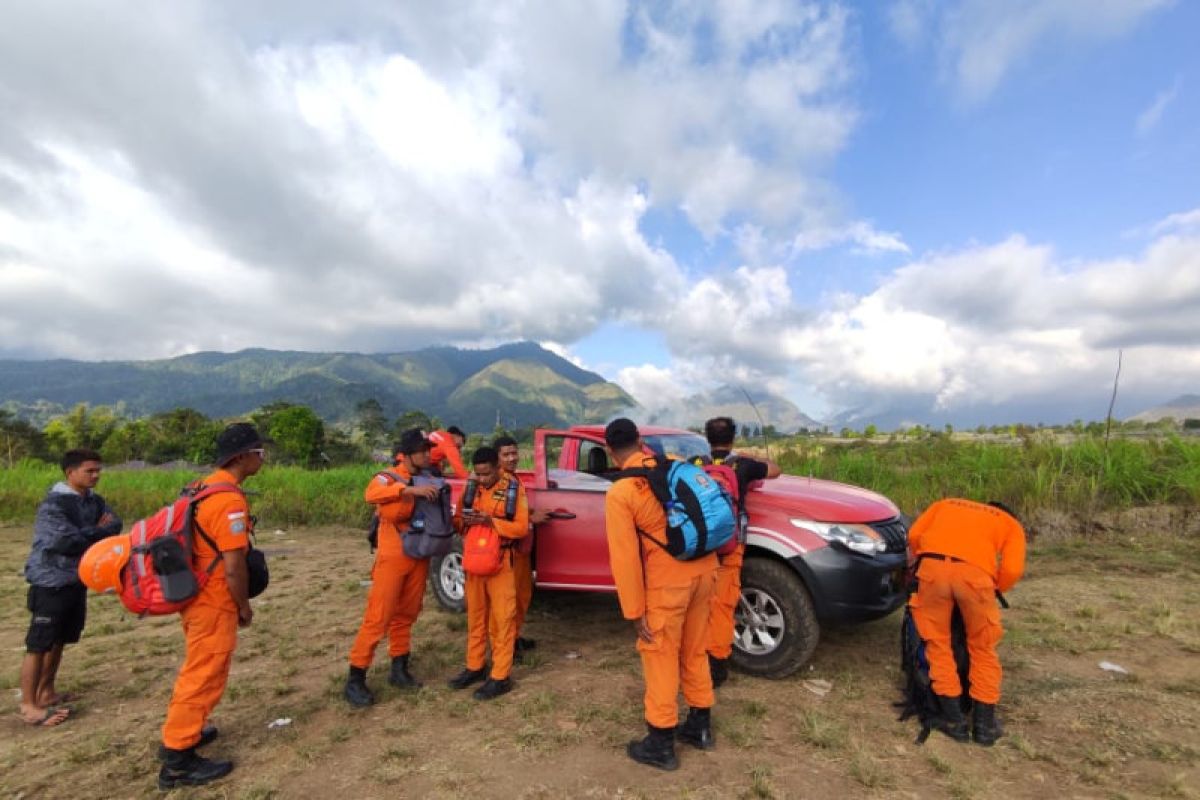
pixel 721 431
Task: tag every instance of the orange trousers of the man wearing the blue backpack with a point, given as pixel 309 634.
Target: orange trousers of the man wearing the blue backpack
pixel 679 618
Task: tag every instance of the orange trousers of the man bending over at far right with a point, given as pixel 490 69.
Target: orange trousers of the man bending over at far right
pixel 943 586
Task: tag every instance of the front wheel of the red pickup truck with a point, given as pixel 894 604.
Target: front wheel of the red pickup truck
pixel 776 629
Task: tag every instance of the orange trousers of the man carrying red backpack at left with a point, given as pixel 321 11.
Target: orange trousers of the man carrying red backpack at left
pixel 212 636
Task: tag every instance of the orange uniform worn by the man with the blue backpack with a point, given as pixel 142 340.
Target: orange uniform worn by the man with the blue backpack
pixel 673 596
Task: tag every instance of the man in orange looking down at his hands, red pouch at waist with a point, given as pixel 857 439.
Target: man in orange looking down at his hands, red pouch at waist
pixel 493 600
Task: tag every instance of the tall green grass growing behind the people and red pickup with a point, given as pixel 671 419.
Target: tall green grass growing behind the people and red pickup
pixel 1030 474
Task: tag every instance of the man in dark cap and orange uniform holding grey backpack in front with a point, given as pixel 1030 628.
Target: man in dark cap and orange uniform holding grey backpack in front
pixel 398 581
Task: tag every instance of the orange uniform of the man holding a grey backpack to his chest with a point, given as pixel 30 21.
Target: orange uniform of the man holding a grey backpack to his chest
pixel 398 582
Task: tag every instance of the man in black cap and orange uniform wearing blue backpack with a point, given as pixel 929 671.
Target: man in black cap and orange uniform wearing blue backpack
pixel 668 601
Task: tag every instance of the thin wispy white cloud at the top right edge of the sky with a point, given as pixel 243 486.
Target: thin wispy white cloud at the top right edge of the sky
pixel 980 43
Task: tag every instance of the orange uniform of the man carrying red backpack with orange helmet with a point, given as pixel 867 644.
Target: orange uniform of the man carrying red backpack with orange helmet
pixel 211 622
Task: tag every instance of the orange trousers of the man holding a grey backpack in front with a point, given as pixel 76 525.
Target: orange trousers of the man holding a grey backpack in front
pixel 398 591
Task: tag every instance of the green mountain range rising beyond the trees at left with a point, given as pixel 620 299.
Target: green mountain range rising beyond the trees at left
pixel 523 384
